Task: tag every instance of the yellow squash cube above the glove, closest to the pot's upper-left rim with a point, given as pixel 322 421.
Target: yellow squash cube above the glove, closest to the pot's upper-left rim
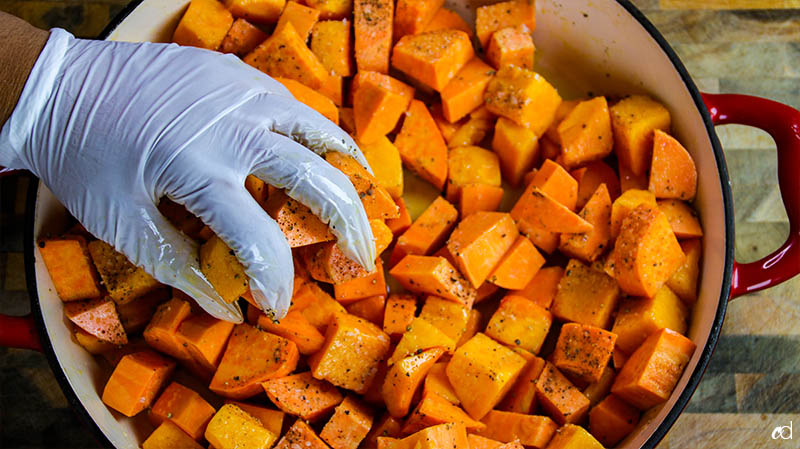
pixel 204 24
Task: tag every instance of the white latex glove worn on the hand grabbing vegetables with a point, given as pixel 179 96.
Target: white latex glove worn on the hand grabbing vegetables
pixel 110 128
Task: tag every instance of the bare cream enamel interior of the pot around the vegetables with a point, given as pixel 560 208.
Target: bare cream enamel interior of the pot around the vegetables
pixel 582 46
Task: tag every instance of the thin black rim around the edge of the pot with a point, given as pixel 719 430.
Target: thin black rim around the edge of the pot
pixel 696 375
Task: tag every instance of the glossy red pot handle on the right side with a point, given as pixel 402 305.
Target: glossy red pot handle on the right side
pixel 783 124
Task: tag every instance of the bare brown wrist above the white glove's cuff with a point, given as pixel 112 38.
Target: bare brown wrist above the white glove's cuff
pixel 21 46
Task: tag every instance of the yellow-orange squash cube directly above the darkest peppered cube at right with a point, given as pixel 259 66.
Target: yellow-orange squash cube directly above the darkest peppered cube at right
pixel 585 296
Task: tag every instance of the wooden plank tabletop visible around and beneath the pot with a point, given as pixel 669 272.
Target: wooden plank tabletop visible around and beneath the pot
pixel 753 382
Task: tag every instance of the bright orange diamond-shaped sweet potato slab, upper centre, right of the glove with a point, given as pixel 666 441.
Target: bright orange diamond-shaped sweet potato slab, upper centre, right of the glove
pixel 422 147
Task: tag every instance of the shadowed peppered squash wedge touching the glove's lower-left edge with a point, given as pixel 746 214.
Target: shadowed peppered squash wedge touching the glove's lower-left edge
pixel 123 280
